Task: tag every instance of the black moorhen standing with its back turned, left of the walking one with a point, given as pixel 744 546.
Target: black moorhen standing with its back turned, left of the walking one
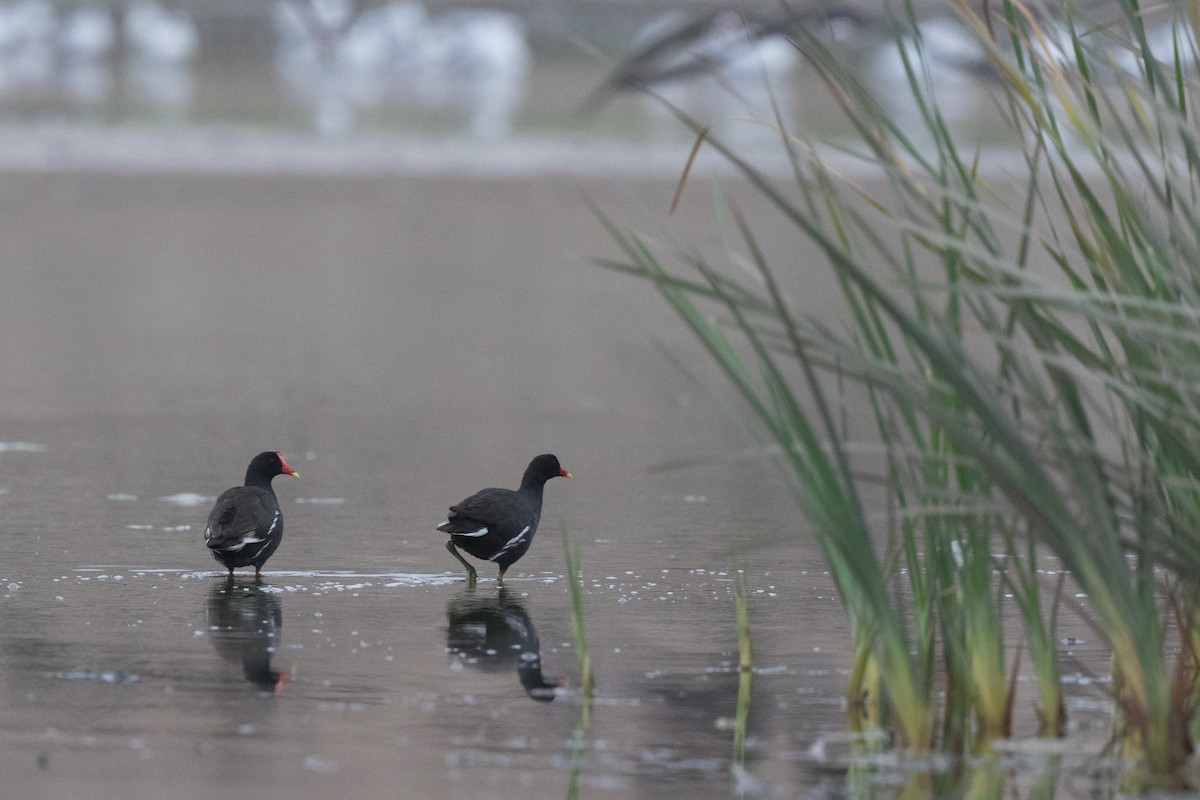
pixel 247 525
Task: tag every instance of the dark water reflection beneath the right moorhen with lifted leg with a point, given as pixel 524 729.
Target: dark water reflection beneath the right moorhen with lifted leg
pixel 495 634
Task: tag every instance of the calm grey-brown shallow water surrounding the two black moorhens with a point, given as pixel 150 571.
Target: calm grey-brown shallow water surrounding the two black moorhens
pixel 405 339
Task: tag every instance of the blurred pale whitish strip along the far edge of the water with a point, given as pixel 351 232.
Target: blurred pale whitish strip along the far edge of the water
pixel 244 151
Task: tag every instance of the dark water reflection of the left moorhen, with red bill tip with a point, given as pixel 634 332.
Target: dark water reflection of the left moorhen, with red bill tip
pixel 244 624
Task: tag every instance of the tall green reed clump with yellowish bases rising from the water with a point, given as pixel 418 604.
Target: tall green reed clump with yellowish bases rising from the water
pixel 1019 327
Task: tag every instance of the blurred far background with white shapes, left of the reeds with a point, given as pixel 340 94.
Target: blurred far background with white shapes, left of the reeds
pixel 331 67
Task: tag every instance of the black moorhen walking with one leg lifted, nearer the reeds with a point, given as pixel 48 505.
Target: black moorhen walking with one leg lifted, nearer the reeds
pixel 499 525
